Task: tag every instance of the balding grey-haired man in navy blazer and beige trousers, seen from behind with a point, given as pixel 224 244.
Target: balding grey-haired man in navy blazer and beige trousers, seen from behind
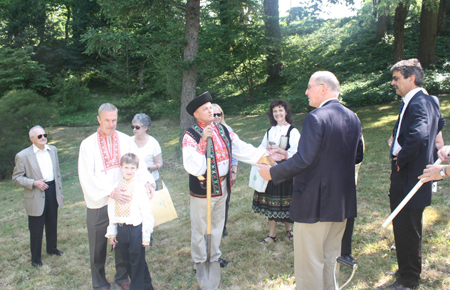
pixel 324 194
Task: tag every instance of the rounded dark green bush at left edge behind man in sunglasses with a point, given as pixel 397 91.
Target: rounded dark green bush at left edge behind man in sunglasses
pixel 20 110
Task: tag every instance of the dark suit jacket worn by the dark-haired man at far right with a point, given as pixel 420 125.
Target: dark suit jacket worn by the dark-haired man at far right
pixel 422 121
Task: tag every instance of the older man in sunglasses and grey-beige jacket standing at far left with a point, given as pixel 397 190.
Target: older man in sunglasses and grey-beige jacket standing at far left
pixel 37 171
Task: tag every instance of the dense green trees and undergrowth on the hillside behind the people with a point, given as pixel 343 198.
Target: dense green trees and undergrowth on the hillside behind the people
pixel 130 53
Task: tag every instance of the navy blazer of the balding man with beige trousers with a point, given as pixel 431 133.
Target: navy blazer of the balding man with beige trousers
pixel 324 166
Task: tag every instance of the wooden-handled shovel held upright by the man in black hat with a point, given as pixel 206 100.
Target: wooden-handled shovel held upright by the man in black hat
pixel 208 273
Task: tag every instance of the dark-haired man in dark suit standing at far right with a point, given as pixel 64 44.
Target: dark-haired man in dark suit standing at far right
pixel 413 147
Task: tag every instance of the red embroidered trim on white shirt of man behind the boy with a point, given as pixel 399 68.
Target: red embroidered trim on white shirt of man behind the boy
pixel 110 159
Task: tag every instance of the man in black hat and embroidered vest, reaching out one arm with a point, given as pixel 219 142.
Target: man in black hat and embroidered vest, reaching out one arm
pixel 224 145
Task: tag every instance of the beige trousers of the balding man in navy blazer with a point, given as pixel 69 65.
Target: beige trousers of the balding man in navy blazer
pixel 316 247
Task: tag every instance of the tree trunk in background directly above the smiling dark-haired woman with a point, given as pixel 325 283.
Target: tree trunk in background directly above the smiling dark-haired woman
pixel 273 36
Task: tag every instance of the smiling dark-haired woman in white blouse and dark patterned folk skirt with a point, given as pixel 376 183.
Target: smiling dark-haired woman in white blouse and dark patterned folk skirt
pixel 281 140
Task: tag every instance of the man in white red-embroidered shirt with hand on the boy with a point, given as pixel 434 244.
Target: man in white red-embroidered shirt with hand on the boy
pixel 98 170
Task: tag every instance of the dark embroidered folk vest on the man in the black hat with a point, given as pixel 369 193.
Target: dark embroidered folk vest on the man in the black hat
pixel 197 184
